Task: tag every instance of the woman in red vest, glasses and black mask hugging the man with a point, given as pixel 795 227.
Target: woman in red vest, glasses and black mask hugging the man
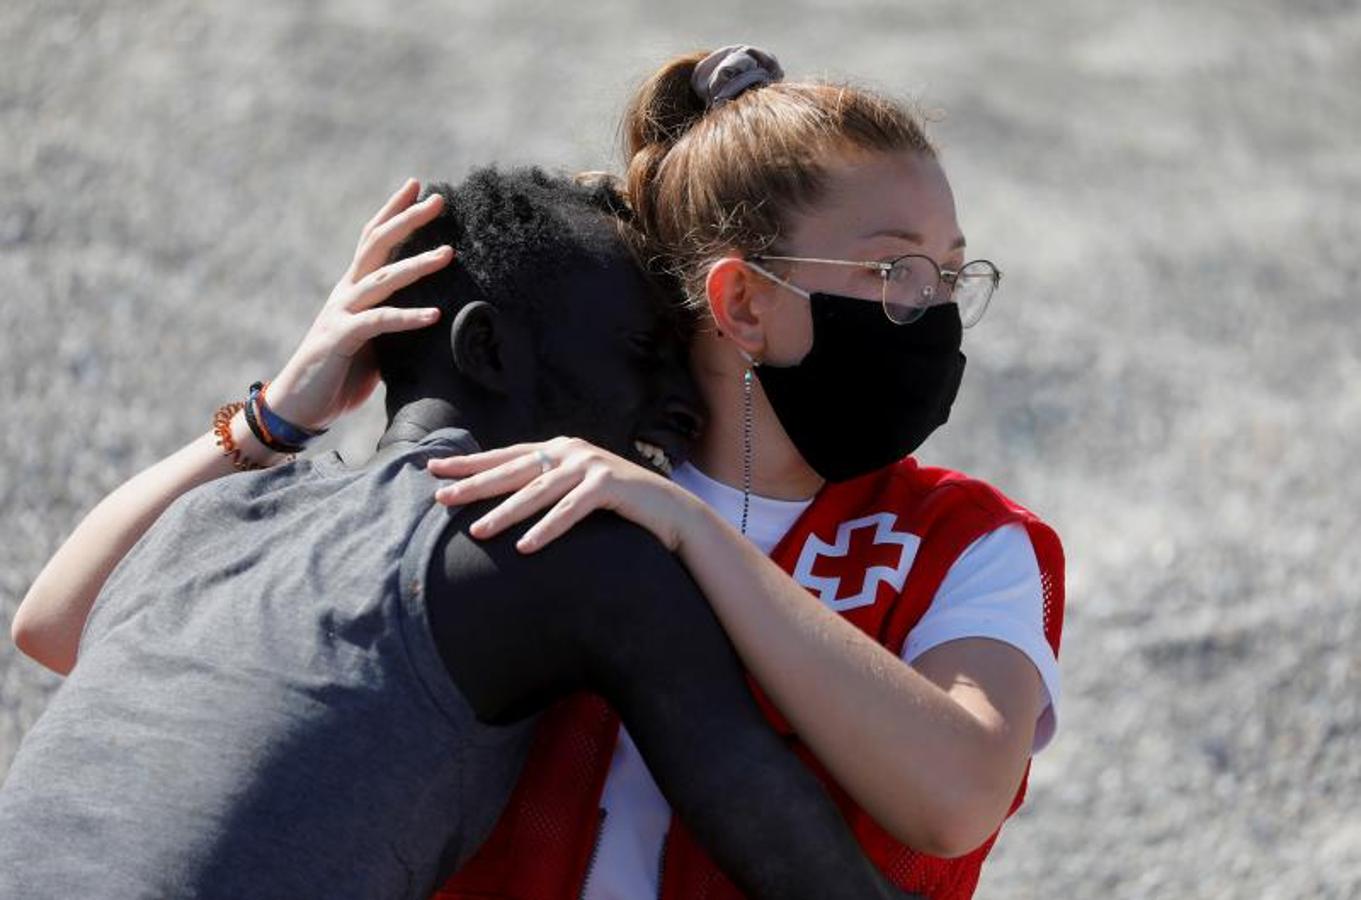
pixel 816 238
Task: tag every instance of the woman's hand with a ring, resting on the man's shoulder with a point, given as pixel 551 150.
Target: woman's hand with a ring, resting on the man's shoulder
pixel 571 479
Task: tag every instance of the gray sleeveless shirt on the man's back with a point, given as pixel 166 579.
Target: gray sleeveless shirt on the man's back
pixel 259 709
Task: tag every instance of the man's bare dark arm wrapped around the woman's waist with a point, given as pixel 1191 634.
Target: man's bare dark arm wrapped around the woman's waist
pixel 610 609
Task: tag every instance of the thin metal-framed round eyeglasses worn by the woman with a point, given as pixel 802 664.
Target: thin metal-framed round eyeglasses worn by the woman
pixel 914 284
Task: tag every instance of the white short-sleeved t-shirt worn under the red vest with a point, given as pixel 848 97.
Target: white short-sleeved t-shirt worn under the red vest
pixel 993 590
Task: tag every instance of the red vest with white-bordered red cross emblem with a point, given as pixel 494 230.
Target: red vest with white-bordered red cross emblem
pixel 874 549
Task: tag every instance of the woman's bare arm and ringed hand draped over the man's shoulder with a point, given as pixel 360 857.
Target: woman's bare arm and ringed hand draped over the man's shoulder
pixel 934 752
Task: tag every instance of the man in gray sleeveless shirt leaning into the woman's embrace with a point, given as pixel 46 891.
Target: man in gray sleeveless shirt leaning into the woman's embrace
pixel 311 681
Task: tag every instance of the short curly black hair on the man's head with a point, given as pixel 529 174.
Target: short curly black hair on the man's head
pixel 516 235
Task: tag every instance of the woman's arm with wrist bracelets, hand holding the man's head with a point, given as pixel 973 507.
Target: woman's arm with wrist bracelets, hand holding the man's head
pixel 329 375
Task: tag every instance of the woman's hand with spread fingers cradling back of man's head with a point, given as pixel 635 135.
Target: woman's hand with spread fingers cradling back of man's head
pixel 333 370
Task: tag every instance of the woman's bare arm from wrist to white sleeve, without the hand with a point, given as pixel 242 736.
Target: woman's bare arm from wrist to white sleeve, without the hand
pixel 934 752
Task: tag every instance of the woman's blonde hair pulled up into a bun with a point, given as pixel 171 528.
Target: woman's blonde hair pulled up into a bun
pixel 706 182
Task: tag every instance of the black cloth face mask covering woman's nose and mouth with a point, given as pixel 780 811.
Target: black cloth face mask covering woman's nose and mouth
pixel 870 391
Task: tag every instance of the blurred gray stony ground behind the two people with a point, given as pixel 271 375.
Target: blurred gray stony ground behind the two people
pixel 1171 374
